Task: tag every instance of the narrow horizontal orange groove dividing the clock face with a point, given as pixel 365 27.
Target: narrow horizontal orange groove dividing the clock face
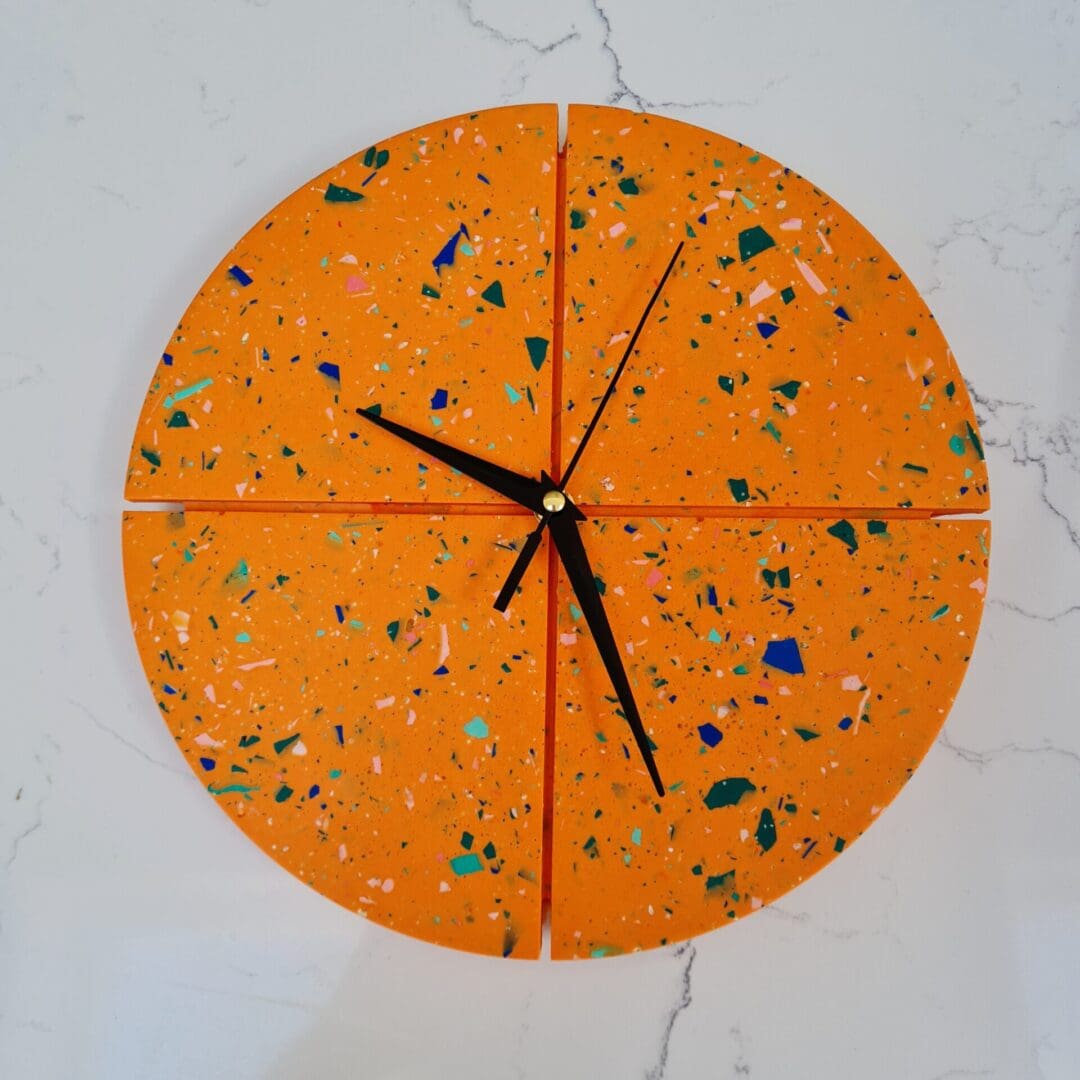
pixel 512 510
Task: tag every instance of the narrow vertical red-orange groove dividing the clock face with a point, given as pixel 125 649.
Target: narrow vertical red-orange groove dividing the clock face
pixel 557 440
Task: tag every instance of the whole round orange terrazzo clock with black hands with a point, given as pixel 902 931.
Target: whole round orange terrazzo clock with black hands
pixel 746 620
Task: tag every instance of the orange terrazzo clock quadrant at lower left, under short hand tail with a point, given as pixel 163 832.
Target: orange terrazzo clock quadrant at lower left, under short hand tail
pixel 384 745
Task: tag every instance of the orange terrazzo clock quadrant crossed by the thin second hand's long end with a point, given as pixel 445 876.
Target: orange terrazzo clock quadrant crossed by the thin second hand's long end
pixel 791 362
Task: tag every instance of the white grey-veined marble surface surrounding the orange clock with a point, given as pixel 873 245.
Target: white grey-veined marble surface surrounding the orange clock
pixel 140 936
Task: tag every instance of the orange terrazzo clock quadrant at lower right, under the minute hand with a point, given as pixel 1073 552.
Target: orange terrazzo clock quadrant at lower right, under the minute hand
pixel 791 674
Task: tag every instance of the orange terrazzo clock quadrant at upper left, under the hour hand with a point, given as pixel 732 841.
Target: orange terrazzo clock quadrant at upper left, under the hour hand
pixel 415 277
